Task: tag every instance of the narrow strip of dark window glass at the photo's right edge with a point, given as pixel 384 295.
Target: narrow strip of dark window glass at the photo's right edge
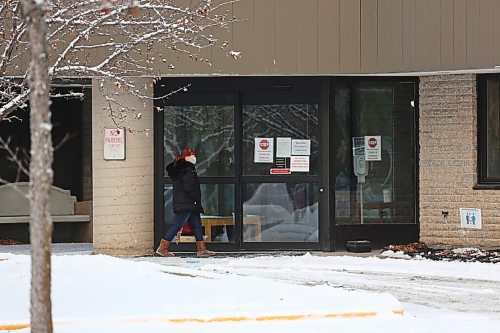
pixel 493 131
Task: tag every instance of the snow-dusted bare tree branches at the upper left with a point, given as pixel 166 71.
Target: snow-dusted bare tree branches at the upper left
pixel 113 39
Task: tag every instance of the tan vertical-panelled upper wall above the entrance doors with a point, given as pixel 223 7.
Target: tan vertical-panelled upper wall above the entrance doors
pixel 319 37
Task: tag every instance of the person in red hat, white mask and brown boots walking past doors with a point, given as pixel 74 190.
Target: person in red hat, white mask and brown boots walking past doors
pixel 186 203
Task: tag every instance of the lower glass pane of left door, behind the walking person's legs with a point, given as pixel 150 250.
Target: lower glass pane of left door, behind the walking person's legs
pixel 218 220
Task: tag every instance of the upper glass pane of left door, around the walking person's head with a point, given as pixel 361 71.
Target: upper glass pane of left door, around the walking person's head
pixel 208 129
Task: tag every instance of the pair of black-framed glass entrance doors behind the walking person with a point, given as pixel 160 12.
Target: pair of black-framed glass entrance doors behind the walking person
pixel 258 160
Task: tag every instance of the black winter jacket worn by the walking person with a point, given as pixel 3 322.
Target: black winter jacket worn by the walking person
pixel 187 192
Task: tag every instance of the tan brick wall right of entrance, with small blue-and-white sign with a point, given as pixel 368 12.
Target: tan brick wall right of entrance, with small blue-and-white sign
pixel 448 164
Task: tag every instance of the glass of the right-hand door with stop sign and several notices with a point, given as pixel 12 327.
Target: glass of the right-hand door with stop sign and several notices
pixel 280 173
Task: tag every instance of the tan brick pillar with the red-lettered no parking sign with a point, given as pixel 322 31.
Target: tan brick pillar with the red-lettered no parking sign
pixel 123 190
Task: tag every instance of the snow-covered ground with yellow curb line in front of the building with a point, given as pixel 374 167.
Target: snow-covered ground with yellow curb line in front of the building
pixel 272 293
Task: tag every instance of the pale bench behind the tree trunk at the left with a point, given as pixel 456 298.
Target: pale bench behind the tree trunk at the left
pixel 15 208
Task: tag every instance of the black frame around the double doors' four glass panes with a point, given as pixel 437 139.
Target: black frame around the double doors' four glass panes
pixel 265 89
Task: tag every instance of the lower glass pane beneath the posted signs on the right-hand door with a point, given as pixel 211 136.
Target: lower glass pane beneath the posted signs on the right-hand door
pixel 280 212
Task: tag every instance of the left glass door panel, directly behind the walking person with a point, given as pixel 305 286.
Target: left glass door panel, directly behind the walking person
pixel 206 125
